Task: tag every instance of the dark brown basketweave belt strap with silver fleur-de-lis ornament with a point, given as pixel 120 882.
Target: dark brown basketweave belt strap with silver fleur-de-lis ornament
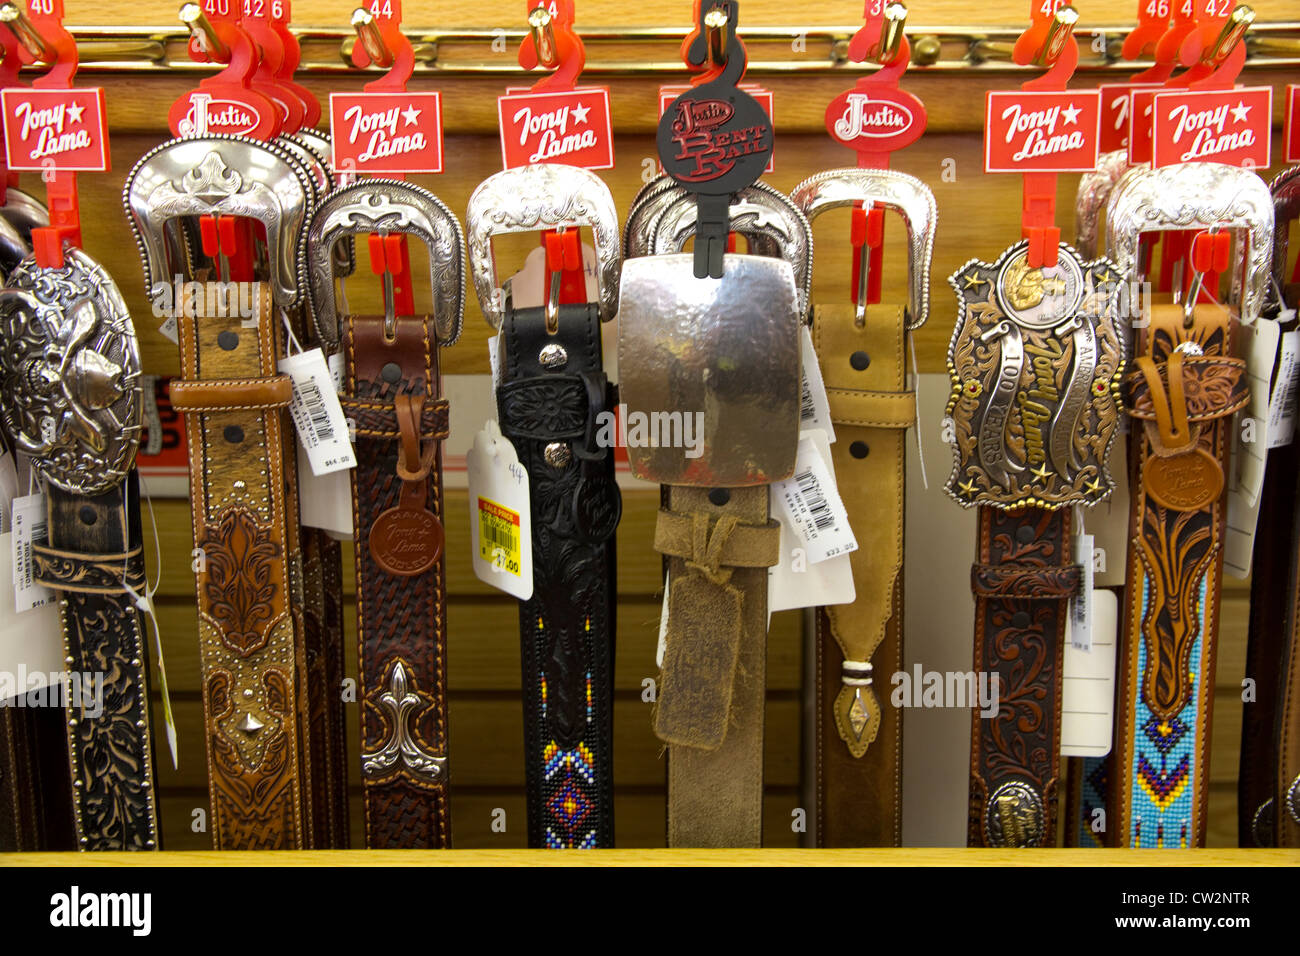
pixel 402 618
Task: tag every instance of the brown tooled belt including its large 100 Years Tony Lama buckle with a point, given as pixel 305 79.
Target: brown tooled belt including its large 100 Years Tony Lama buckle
pixel 1034 365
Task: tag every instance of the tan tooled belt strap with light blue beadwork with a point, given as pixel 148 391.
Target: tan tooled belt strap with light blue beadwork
pixel 1160 775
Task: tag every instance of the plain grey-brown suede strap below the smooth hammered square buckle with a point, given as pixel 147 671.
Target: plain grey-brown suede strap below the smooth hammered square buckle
pixel 712 689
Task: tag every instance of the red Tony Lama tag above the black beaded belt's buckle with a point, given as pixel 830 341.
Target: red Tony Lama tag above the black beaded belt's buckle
pixel 571 128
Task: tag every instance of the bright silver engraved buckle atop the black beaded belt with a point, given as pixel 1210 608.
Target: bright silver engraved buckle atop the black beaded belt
pixel 544 196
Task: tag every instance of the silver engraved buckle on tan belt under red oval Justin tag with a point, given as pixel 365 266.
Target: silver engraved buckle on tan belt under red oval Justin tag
pixel 907 196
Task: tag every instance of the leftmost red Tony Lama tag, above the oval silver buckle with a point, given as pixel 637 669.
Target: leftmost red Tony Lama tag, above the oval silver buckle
pixel 55 129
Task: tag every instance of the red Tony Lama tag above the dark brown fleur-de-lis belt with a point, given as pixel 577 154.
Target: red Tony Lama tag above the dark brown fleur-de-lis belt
pixel 387 132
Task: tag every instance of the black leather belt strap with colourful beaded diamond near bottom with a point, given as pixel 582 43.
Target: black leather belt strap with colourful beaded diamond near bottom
pixel 548 408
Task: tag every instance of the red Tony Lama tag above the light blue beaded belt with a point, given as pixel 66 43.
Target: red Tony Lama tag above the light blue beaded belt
pixel 1229 127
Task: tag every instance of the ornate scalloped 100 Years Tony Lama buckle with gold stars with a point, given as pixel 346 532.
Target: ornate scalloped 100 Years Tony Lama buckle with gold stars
pixel 1035 366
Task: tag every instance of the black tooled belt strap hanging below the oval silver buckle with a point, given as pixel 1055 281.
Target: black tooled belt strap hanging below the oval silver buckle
pixel 110 743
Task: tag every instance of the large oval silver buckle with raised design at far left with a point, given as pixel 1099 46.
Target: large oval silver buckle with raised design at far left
pixel 71 374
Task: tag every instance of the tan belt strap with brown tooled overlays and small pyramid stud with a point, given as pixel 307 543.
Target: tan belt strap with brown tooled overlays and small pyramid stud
pixel 249 583
